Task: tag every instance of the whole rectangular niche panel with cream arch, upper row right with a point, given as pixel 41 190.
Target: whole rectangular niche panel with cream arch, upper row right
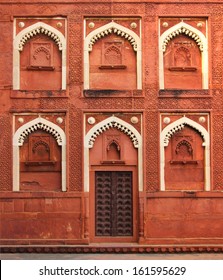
pixel 181 64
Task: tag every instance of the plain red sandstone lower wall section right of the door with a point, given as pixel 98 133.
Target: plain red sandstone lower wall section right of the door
pixel 184 220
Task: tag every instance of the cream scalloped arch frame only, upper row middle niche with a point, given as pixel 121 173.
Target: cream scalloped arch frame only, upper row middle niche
pixel 121 31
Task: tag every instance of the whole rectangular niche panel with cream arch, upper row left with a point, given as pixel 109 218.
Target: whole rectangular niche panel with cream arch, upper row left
pixel 40 34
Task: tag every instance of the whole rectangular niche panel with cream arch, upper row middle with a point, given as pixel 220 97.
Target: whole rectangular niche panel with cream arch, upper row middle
pixel 98 30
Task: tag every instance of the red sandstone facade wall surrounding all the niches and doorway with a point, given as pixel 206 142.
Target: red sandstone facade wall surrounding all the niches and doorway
pixel 58 216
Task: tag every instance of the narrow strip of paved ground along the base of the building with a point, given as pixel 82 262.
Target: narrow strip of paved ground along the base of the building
pixel 204 256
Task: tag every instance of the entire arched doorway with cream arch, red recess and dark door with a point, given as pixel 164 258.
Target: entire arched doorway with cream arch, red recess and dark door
pixel 114 182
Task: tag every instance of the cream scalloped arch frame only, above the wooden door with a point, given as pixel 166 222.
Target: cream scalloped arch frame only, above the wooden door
pixel 94 132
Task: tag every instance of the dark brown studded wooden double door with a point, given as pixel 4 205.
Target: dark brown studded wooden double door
pixel 113 204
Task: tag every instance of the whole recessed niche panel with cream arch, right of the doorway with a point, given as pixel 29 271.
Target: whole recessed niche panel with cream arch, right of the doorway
pixel 185 152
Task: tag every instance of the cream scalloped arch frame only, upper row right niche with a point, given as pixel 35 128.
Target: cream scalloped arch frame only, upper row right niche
pixel 196 35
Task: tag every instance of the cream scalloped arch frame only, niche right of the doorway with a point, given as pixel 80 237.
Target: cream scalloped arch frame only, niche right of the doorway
pixel 169 131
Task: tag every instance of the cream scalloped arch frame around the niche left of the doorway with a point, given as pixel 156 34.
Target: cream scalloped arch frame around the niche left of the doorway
pixel 23 132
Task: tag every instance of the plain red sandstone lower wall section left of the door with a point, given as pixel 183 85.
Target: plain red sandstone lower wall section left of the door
pixel 51 219
